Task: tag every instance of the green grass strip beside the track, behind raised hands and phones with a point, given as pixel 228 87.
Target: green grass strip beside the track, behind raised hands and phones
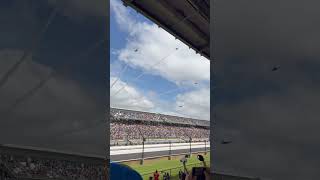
pixel 164 165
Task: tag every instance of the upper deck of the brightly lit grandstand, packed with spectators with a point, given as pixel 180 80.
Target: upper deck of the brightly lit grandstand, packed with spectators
pixel 124 114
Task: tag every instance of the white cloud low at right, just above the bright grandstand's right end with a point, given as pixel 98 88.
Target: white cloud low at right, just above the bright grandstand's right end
pixel 196 103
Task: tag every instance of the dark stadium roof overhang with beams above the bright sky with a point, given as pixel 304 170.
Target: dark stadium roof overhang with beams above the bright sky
pixel 187 20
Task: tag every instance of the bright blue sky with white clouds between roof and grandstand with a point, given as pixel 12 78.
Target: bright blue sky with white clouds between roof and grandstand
pixel 152 71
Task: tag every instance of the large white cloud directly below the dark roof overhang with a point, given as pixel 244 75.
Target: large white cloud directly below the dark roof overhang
pixel 154 44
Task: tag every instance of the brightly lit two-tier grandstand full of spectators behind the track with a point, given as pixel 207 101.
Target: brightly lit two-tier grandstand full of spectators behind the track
pixel 128 126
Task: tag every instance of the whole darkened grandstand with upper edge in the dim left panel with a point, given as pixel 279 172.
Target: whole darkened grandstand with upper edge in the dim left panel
pixel 26 163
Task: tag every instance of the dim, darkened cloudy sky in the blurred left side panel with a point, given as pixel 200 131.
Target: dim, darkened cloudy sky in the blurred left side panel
pixel 55 98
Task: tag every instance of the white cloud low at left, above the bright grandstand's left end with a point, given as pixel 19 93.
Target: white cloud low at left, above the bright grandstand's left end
pixel 129 97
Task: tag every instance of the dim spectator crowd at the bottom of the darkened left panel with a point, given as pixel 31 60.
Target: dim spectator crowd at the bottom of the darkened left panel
pixel 27 167
